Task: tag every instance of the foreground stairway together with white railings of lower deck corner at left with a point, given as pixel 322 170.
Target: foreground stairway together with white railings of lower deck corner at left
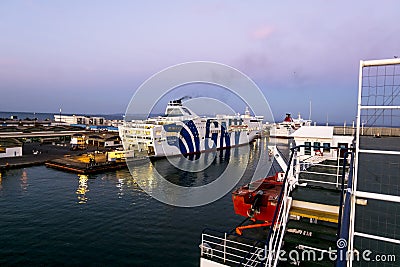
pixel 305 228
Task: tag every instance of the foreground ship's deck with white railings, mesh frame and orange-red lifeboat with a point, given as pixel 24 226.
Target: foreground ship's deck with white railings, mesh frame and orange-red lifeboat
pixel 337 200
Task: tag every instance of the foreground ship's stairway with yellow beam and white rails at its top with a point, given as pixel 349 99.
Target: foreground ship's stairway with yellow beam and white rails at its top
pixel 309 232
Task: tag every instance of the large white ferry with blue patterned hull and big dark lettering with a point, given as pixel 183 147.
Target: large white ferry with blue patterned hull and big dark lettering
pixel 180 131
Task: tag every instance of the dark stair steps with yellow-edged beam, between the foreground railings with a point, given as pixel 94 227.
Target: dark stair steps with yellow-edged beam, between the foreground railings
pixel 311 231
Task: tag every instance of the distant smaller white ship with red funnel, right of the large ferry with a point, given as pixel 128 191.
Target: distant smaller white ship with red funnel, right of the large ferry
pixel 288 126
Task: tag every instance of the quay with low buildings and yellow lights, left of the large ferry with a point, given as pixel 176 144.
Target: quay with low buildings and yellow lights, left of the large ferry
pixel 24 146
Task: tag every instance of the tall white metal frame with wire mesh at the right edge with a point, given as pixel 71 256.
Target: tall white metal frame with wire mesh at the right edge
pixel 377 108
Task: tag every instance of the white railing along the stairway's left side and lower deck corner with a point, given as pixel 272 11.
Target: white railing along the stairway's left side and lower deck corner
pixel 228 251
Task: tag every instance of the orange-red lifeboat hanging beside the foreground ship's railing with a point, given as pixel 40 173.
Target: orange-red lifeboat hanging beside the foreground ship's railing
pixel 258 200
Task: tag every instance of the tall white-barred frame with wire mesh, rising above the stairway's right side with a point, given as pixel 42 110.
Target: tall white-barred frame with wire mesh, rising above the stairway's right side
pixel 381 110
